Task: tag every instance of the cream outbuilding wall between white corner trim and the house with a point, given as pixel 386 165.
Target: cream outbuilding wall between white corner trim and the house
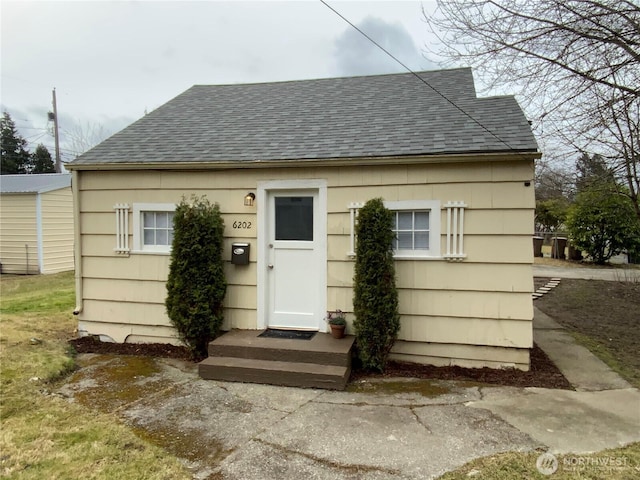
pixel 57 230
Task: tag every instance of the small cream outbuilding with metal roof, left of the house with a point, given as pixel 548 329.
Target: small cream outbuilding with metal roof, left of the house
pixel 36 223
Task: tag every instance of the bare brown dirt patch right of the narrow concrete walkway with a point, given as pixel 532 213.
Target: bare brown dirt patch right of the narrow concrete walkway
pixel 604 315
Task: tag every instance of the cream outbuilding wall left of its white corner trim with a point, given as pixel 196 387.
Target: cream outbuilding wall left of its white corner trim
pixel 18 234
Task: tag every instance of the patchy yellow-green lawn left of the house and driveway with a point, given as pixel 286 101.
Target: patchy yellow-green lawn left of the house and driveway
pixel 43 436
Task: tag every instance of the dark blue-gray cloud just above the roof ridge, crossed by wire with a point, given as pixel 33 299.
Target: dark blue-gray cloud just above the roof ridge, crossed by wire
pixel 356 55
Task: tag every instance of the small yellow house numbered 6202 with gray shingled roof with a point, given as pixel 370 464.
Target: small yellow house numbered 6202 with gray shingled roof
pixel 457 172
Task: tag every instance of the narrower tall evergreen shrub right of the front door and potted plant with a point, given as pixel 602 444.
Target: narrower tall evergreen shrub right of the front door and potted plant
pixel 375 298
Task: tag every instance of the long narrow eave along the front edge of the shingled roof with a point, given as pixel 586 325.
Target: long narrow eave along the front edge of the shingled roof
pixel 525 155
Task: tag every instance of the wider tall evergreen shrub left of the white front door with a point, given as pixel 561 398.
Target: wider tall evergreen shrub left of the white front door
pixel 196 285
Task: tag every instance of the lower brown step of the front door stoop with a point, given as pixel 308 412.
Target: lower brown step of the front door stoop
pixel 273 372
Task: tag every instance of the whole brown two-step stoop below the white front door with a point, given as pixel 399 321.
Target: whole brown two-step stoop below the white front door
pixel 242 356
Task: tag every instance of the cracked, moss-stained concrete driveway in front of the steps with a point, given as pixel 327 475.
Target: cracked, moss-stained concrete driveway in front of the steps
pixel 396 429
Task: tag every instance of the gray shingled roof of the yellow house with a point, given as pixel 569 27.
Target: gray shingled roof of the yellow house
pixel 334 118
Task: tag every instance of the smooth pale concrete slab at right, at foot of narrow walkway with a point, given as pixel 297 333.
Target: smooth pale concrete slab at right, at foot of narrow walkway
pixel 568 421
